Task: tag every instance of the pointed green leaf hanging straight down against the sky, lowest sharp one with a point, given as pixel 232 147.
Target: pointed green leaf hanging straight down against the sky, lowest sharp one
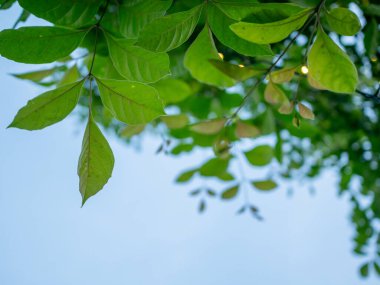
pixel 96 161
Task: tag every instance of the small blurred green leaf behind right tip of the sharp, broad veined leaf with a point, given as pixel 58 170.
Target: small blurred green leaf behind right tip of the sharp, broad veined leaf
pixel 172 90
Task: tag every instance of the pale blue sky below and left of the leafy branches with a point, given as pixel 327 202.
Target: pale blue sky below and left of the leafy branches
pixel 144 229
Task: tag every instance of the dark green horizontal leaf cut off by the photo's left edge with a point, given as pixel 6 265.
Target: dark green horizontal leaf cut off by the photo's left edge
pixel 39 44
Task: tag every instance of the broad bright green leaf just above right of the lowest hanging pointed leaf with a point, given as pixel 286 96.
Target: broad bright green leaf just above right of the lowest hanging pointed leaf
pixel 130 102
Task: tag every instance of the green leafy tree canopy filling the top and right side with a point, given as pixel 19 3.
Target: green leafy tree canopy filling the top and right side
pixel 291 87
